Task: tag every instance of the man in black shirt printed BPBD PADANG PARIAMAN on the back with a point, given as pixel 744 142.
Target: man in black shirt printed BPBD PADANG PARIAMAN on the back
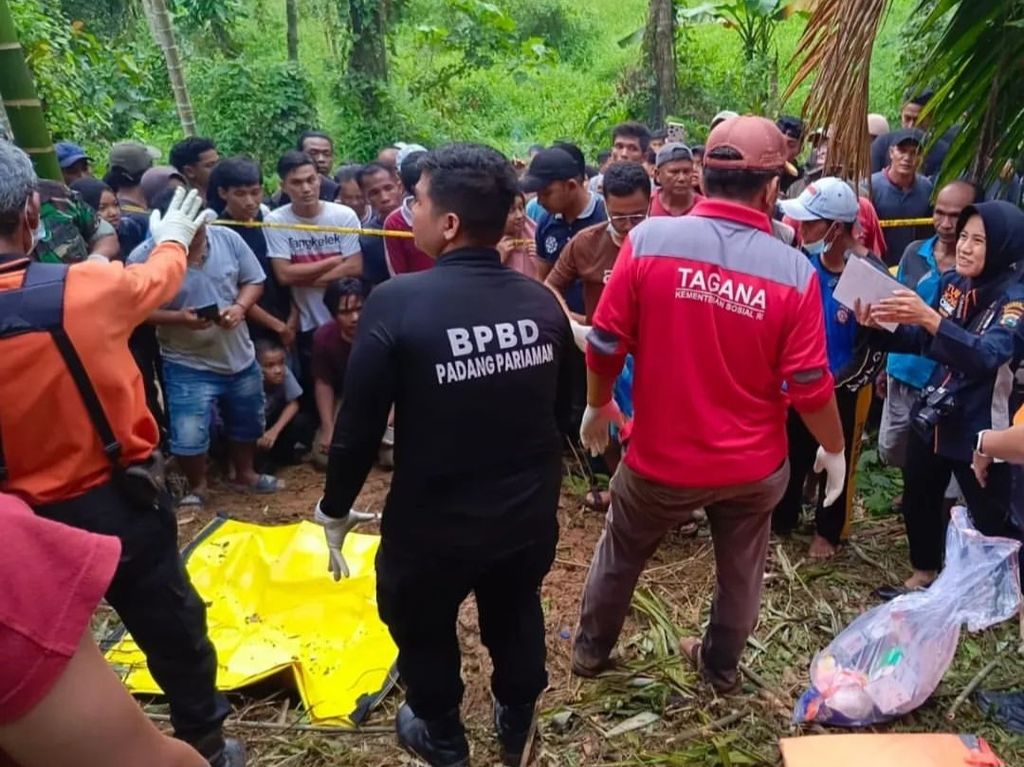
pixel 473 355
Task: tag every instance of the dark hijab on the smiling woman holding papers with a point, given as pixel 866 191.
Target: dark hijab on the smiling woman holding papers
pixel 1004 249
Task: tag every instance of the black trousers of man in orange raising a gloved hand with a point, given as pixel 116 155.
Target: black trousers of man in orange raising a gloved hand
pixel 158 605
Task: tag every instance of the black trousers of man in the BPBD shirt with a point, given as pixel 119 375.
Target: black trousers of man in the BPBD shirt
pixel 419 594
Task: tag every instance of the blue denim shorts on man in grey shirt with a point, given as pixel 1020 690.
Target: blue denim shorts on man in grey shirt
pixel 192 395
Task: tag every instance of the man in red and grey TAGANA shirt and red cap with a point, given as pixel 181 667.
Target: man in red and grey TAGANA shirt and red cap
pixel 727 327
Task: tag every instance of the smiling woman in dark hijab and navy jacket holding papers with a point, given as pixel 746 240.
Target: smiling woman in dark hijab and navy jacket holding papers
pixel 974 332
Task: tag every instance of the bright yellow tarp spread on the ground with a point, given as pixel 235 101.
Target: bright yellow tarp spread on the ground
pixel 273 606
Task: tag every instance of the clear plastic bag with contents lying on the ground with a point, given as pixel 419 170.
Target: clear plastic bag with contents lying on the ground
pixel 891 659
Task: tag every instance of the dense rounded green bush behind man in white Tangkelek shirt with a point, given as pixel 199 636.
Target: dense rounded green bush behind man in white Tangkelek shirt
pixel 259 111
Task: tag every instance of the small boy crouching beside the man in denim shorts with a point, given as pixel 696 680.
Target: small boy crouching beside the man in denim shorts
pixel 288 434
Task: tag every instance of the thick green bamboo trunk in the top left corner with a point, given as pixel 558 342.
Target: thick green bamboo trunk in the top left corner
pixel 24 110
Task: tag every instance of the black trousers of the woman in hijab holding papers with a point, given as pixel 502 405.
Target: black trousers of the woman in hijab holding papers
pixel 925 481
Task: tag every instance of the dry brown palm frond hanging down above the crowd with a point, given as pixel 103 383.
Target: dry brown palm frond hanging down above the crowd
pixel 836 50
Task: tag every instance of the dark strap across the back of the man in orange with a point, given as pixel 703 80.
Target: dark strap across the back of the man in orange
pixel 40 309
